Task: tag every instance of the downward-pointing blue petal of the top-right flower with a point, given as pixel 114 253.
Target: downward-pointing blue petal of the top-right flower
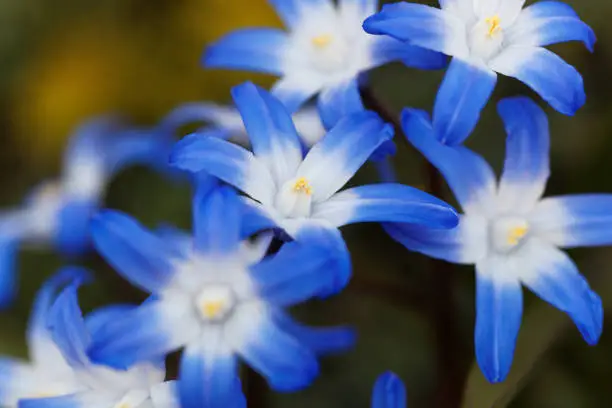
pixel 463 94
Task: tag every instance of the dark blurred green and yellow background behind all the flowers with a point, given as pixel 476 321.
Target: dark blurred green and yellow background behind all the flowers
pixel 66 60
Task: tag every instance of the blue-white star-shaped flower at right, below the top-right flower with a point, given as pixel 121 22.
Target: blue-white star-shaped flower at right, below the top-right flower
pixel 510 233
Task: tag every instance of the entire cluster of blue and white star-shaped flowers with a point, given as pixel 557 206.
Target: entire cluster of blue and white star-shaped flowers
pixel 266 220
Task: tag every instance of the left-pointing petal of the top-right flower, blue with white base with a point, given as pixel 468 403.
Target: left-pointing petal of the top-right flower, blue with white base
pixel 420 25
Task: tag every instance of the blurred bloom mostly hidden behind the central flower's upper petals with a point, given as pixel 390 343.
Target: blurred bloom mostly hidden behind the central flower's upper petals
pixel 226 121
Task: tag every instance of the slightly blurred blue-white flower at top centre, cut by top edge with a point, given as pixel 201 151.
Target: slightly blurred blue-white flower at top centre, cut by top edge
pixel 325 52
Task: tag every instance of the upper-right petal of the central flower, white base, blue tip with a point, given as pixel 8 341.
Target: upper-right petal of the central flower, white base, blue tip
pixel 338 156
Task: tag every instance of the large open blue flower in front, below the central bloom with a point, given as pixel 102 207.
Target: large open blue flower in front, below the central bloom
pixel 220 298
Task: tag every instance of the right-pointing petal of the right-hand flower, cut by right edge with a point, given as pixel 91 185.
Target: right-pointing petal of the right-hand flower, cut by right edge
pixel 574 220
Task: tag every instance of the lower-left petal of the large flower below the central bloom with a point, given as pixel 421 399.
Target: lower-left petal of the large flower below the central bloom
pixel 145 334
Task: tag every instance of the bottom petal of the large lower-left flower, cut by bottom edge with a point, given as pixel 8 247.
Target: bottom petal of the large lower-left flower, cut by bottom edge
pixel 208 373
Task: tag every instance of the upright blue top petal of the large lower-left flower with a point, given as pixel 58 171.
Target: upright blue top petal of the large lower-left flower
pixel 217 221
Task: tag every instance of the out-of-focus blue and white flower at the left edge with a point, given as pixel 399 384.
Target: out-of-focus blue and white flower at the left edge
pixel 57 212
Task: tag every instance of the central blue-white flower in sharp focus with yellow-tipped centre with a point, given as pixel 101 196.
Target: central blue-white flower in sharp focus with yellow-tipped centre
pixel 294 192
